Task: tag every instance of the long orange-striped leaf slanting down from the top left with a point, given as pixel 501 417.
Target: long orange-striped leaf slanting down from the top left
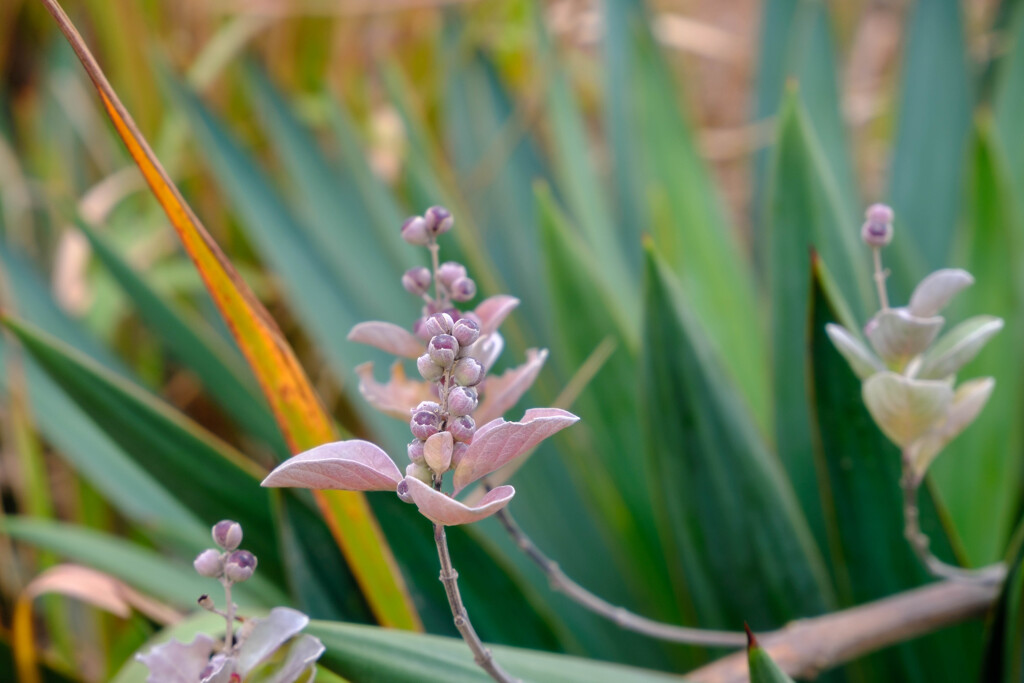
pixel 295 405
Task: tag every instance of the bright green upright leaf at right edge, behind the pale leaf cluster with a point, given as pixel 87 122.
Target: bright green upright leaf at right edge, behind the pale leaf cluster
pixel 977 472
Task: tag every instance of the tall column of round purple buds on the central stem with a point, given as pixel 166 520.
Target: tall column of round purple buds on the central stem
pixel 443 430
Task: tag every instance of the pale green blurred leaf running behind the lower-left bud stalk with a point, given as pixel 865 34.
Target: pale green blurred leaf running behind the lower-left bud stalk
pixel 145 570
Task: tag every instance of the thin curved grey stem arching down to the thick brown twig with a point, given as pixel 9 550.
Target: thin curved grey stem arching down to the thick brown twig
pixel 619 616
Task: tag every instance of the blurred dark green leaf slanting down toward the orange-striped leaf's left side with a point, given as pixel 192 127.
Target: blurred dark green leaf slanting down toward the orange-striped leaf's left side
pixel 218 366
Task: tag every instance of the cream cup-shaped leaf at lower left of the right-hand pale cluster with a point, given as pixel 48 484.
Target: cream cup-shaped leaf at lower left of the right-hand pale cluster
pixel 905 409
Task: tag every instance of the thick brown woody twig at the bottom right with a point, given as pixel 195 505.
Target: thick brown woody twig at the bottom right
pixel 807 648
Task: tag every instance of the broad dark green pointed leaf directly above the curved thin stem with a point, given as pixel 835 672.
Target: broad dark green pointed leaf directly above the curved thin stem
pixel 737 539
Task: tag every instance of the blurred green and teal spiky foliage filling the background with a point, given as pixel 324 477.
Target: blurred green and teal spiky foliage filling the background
pixel 648 178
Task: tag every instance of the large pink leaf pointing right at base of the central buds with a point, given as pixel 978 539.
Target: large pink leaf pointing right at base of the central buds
pixel 498 443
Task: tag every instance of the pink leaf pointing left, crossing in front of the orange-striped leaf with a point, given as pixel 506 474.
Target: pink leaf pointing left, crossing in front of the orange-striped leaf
pixel 352 465
